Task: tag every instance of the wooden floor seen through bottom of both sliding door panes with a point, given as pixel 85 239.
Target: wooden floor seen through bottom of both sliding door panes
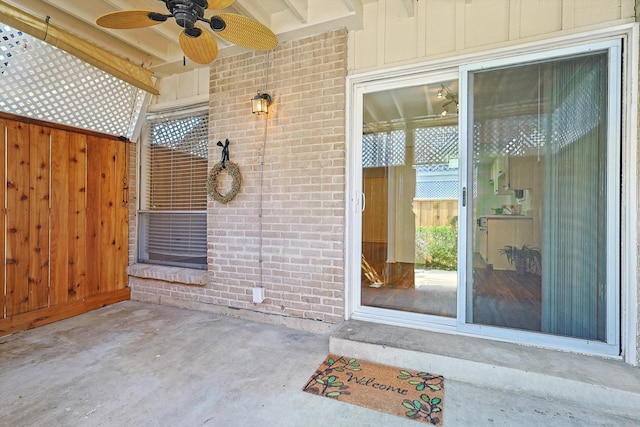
pixel 500 298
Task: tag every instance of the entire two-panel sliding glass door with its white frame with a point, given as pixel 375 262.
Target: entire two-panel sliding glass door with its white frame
pixel 490 199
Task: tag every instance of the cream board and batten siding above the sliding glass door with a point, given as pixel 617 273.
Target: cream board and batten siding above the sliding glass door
pixel 398 32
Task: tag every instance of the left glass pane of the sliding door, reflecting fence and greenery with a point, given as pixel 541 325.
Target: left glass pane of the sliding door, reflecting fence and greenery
pixel 410 182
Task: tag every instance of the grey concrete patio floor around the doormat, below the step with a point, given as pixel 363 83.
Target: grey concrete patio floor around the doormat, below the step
pixel 141 364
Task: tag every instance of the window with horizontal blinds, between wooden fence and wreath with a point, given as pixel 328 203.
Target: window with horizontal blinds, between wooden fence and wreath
pixel 172 216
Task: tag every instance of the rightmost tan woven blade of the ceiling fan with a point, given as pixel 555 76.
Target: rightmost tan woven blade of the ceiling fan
pixel 246 32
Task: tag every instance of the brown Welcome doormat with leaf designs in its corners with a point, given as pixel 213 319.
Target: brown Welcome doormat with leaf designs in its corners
pixel 402 392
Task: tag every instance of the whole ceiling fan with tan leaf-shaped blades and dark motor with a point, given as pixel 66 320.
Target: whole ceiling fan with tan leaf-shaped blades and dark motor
pixel 197 44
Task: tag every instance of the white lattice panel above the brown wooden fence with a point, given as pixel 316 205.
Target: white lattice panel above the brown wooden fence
pixel 43 82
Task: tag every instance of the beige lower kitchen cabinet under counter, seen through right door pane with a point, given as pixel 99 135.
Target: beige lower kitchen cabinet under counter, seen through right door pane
pixel 501 231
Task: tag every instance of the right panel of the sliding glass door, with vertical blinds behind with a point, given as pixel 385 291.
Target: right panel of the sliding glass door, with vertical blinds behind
pixel 544 152
